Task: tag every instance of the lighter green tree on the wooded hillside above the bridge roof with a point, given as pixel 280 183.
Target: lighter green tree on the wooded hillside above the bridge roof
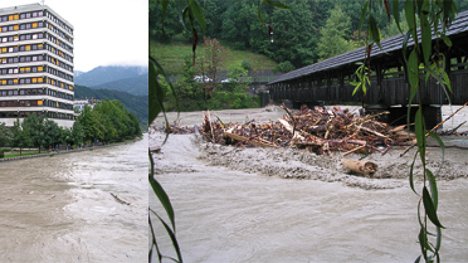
pixel 333 35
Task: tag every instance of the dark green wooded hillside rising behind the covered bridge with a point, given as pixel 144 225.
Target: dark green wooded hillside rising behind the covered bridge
pixel 305 33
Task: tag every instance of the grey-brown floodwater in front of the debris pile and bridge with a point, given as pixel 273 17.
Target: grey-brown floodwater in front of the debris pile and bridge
pixel 224 215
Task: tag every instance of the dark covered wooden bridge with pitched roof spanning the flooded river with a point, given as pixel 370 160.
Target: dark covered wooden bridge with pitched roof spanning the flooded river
pixel 328 81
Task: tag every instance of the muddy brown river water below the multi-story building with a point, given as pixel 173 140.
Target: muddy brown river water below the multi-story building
pixel 79 207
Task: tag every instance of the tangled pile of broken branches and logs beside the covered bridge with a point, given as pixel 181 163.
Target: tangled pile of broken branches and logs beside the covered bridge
pixel 320 130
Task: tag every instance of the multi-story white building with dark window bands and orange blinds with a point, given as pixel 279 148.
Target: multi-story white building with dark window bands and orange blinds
pixel 36 64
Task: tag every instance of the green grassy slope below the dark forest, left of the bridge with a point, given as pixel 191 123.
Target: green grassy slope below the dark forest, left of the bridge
pixel 172 56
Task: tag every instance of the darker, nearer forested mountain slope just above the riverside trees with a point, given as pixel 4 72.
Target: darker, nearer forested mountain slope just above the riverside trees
pixel 135 104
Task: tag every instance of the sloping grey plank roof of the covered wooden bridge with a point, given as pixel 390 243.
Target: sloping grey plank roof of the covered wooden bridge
pixel 390 45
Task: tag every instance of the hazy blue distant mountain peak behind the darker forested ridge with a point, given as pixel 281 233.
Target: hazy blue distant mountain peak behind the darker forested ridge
pixel 135 85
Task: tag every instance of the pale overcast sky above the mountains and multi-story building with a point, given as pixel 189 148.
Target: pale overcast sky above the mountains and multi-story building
pixel 106 32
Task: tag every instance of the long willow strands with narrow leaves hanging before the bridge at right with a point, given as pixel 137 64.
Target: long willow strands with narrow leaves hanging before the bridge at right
pixel 425 18
